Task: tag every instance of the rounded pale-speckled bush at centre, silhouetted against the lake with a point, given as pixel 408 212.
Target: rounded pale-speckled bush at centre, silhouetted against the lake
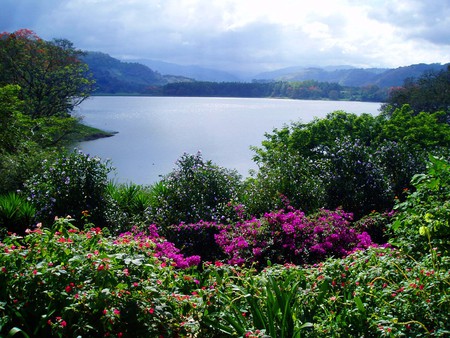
pixel 195 190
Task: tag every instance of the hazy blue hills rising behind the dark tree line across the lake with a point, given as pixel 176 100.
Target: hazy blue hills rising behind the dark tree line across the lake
pixel 115 76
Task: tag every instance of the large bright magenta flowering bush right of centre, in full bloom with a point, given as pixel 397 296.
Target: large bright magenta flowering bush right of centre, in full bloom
pixel 291 237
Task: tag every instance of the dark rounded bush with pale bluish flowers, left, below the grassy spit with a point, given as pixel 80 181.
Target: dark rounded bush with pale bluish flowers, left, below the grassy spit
pixel 68 185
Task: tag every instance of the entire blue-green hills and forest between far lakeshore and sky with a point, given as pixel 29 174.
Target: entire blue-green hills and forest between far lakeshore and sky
pixel 115 77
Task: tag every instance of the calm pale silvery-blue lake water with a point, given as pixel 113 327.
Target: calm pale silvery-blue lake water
pixel 153 132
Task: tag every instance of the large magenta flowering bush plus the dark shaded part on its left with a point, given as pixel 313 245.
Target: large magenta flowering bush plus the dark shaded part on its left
pixel 277 237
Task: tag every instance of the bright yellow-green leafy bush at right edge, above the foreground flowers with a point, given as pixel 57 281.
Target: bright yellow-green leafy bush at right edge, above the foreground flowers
pixel 422 223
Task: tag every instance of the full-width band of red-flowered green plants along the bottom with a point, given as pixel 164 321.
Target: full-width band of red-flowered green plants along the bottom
pixel 67 282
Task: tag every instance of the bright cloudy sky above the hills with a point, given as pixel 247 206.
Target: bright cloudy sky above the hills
pixel 246 36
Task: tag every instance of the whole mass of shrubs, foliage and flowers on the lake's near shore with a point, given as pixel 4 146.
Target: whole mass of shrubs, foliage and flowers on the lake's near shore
pixel 342 231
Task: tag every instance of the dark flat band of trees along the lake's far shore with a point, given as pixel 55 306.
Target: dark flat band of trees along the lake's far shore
pixel 305 90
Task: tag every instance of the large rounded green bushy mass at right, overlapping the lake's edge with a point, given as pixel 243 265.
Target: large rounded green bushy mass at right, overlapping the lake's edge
pixel 358 162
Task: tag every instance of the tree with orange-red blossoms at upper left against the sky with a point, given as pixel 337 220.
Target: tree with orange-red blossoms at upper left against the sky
pixel 53 80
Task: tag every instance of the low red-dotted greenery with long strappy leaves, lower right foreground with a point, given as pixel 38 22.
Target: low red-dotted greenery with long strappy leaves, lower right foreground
pixel 378 292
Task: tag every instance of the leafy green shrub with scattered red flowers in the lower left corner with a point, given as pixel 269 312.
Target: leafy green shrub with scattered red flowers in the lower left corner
pixel 67 282
